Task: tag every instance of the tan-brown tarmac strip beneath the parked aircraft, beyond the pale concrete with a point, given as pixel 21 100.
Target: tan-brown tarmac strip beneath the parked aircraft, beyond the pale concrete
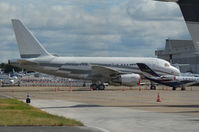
pixel 178 102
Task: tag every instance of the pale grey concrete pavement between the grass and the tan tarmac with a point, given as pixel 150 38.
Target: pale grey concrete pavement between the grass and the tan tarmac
pixel 117 119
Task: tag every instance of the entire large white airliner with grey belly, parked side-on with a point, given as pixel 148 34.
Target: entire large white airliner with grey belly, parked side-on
pixel 99 70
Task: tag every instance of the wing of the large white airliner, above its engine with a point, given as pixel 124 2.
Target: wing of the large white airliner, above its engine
pixel 105 71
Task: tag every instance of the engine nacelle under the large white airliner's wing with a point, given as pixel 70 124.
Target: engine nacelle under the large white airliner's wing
pixel 127 79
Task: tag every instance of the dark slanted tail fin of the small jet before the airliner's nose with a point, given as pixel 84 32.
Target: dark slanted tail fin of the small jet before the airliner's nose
pixel 146 70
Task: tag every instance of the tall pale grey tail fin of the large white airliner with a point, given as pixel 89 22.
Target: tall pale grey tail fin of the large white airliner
pixel 29 46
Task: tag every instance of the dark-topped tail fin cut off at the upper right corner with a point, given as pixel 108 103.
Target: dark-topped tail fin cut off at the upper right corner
pixel 190 11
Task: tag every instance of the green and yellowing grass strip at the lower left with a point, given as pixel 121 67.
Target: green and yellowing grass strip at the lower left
pixel 18 113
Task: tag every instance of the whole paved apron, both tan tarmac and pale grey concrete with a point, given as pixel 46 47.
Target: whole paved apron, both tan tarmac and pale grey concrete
pixel 118 108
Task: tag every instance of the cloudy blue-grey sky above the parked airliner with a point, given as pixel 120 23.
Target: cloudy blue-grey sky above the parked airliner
pixel 92 27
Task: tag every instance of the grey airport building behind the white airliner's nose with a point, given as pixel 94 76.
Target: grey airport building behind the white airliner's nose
pixel 180 52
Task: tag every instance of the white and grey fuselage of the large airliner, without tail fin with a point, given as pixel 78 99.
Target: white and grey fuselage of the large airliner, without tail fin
pixel 81 67
